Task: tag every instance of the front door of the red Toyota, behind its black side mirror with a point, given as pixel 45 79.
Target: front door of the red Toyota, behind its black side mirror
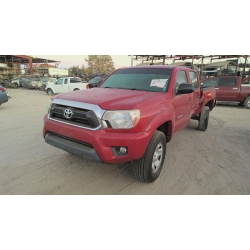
pixel 182 103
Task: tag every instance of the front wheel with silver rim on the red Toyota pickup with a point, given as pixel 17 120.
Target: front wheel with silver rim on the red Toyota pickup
pixel 145 168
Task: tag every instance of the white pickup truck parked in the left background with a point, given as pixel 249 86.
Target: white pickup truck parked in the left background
pixel 65 84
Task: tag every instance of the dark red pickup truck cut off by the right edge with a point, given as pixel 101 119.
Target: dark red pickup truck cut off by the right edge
pixel 229 88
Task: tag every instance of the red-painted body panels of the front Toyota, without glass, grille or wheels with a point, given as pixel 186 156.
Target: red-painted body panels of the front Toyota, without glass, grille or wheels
pixel 156 109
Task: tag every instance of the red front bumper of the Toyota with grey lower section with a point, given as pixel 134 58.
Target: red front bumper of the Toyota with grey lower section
pixel 102 142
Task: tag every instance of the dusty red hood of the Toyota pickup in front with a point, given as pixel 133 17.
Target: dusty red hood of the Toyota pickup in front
pixel 109 99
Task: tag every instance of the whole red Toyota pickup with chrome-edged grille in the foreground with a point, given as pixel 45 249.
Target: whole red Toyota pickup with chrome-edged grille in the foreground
pixel 130 116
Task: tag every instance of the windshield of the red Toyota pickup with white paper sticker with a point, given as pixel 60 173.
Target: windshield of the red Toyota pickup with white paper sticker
pixel 149 79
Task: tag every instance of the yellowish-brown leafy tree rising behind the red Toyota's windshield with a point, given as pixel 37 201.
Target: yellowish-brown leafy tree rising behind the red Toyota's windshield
pixel 100 64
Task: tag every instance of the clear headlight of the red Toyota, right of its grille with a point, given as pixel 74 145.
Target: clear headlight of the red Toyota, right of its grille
pixel 122 119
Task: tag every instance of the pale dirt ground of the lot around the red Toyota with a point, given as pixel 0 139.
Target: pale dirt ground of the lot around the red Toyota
pixel 213 162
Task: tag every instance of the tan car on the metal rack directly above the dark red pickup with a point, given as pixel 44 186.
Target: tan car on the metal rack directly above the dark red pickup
pixel 221 68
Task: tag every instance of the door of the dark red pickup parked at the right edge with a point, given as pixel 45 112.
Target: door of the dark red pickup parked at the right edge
pixel 228 89
